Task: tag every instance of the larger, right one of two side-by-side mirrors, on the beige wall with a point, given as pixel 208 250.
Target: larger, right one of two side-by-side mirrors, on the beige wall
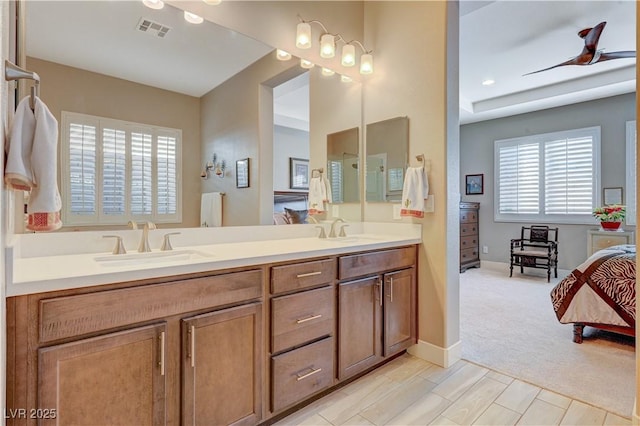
pixel 387 157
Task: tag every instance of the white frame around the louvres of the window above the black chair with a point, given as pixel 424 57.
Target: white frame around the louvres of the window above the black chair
pixel 540 139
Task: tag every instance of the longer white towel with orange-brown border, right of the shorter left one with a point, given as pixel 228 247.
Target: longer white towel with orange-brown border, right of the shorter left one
pixel 44 202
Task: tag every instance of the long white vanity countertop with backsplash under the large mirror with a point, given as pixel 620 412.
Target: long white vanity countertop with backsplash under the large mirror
pixel 73 261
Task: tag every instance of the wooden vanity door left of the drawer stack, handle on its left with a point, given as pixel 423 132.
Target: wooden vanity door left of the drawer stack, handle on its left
pixel 221 367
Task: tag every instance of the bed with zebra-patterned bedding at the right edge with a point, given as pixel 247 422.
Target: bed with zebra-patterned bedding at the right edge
pixel 599 293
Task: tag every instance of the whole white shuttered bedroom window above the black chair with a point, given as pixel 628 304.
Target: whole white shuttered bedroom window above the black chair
pixel 552 177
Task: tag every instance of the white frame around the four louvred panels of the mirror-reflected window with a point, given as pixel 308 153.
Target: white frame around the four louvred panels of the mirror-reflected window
pixel 99 218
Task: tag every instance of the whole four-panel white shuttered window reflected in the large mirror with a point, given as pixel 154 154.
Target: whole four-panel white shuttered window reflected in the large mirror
pixel 114 171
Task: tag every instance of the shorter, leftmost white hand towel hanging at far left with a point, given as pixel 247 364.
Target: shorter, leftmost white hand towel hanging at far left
pixel 17 173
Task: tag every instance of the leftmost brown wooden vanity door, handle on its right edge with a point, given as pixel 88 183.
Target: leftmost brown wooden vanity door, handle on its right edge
pixel 114 379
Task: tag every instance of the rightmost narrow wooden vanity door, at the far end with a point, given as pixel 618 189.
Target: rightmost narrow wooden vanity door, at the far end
pixel 399 311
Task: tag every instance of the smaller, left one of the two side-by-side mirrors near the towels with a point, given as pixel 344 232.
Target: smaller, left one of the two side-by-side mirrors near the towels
pixel 342 165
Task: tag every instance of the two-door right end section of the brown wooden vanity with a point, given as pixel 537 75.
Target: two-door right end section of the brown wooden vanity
pixel 377 313
